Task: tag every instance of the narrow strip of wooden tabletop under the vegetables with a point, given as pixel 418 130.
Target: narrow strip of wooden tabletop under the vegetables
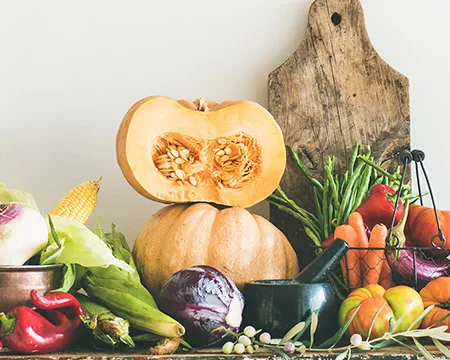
pixel 397 353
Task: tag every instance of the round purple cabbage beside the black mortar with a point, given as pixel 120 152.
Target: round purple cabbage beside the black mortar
pixel 202 299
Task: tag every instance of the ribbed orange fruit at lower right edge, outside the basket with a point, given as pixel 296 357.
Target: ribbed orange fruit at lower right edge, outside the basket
pixel 437 292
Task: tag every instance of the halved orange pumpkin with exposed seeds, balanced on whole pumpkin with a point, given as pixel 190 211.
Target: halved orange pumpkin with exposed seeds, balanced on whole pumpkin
pixel 178 151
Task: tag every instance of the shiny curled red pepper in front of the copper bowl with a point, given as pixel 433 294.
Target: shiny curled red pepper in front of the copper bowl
pixel 25 331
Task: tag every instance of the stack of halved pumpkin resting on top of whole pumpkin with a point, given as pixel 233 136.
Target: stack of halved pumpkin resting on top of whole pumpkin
pixel 212 161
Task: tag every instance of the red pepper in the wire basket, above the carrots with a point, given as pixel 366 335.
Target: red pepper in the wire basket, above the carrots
pixel 377 208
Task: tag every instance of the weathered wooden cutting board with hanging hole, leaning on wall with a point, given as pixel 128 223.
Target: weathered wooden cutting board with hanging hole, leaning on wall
pixel 334 90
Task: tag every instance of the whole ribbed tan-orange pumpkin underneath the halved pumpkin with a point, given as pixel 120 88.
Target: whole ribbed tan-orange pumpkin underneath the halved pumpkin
pixel 243 246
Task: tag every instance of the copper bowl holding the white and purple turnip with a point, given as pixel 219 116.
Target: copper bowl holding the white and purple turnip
pixel 16 282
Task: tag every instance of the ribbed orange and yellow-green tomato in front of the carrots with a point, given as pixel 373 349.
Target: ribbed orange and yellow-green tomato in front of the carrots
pixel 391 304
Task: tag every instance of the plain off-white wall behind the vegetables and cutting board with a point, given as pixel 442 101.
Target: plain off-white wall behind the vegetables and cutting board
pixel 70 70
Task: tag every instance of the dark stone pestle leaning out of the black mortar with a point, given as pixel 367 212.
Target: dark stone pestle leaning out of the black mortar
pixel 320 268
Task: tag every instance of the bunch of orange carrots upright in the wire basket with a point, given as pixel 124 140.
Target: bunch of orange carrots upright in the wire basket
pixel 366 264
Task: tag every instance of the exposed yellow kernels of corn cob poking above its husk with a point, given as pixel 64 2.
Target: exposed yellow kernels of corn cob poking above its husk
pixel 79 203
